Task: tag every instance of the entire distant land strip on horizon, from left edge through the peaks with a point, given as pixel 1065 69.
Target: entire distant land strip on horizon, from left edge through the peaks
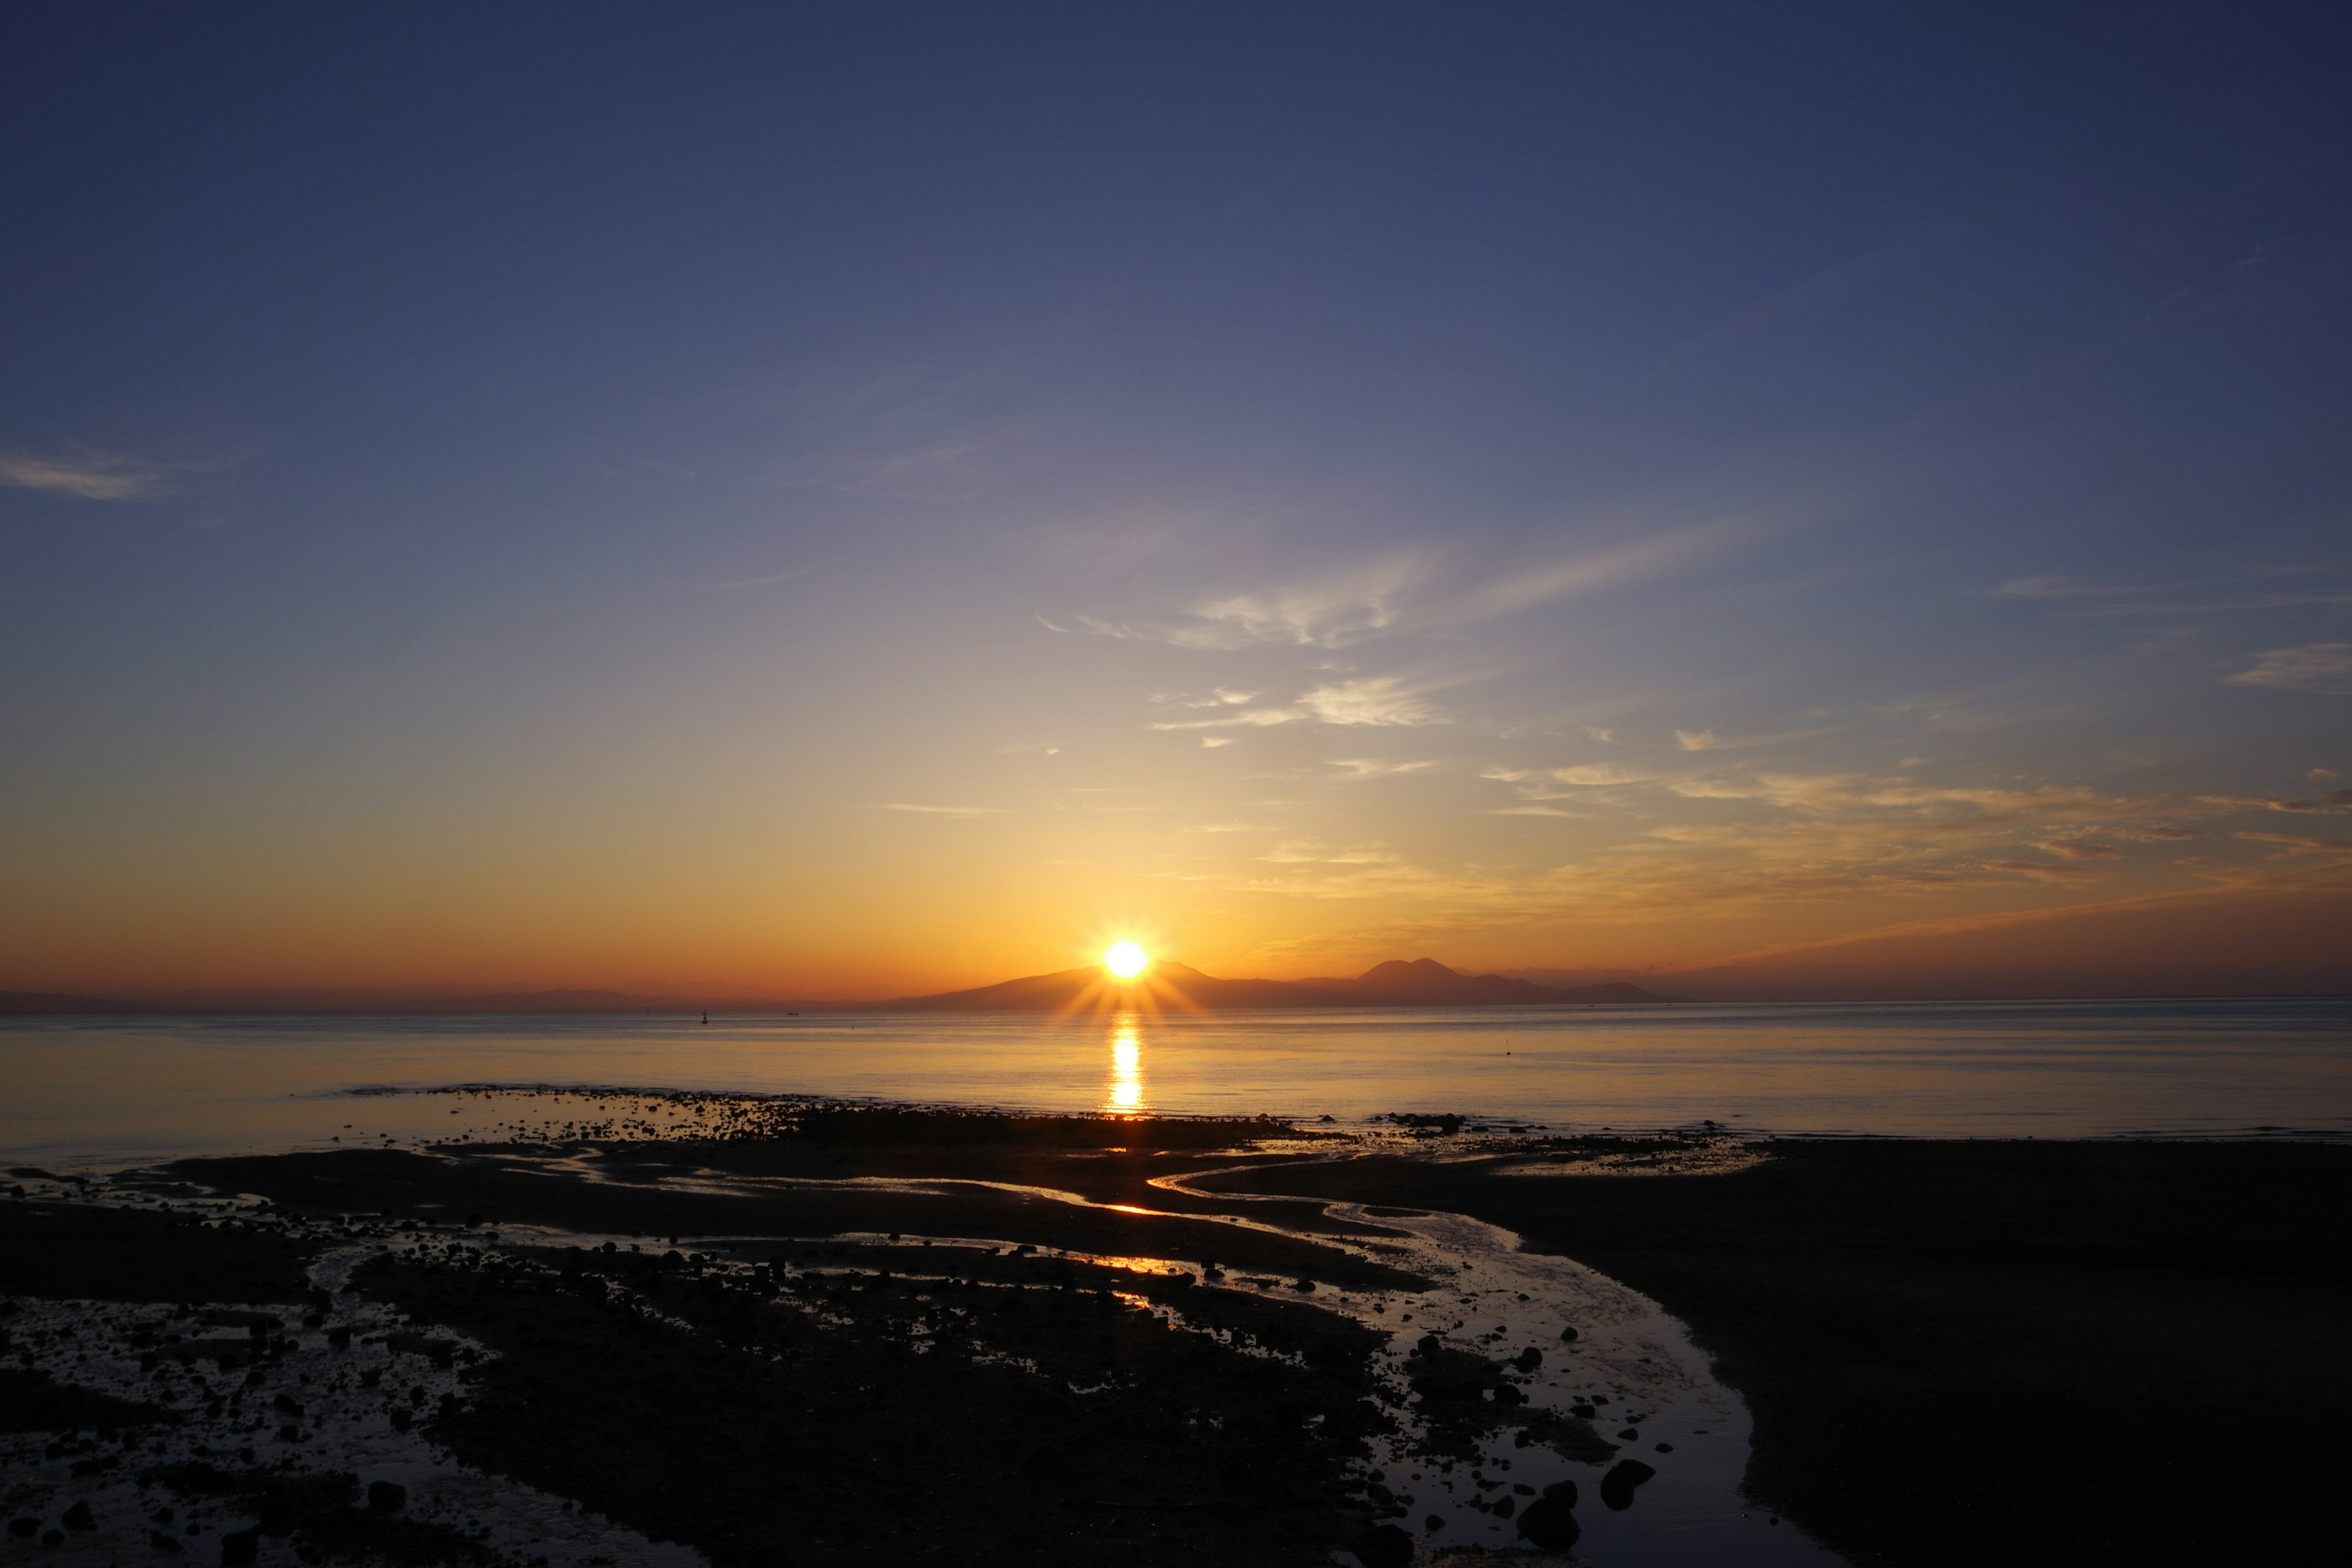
pixel 1394 984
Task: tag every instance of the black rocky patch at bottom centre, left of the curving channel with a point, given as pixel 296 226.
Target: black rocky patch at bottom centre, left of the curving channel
pixel 848 1416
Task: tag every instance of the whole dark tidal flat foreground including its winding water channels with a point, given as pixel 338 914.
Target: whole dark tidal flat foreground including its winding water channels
pixel 723 1329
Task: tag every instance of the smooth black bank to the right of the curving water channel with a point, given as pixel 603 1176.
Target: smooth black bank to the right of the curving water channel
pixel 1967 1353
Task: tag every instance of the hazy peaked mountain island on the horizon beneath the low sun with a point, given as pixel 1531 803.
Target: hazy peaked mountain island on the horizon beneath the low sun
pixel 1394 984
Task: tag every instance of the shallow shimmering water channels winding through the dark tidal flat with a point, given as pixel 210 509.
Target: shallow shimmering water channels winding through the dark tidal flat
pixel 1629 1367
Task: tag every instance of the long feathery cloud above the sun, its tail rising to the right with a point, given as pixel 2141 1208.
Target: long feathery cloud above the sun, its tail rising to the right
pixel 1405 594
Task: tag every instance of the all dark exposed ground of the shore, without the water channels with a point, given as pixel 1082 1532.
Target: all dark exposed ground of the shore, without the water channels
pixel 1904 1318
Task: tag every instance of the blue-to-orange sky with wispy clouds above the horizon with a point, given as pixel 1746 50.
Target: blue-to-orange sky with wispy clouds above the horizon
pixel 850 500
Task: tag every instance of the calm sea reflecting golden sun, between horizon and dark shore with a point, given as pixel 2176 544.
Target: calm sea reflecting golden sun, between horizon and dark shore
pixel 102 1092
